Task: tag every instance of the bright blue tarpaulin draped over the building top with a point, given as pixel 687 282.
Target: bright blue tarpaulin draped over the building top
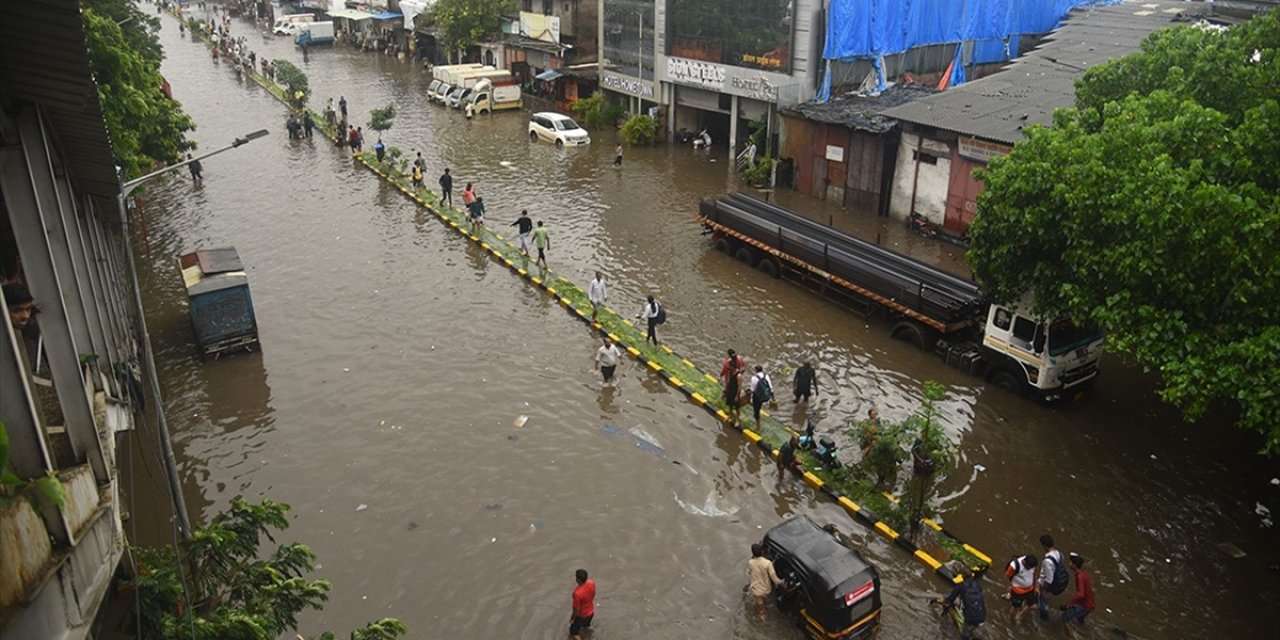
pixel 871 29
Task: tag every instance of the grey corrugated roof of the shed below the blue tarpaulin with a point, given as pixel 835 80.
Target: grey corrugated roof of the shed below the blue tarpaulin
pixel 1027 93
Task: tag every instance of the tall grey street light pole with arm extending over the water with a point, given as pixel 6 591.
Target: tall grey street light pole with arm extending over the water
pixel 171 465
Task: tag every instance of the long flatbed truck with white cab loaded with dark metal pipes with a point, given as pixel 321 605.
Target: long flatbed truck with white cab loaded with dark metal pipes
pixel 931 309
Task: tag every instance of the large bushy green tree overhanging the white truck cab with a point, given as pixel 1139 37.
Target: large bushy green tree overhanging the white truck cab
pixel 1153 211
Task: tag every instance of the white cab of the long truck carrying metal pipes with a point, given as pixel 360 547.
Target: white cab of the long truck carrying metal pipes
pixel 1054 360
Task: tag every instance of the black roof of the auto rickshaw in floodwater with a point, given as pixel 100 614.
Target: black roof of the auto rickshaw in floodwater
pixel 829 564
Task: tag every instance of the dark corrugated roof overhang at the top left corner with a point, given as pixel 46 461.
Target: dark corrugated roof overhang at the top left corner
pixel 44 60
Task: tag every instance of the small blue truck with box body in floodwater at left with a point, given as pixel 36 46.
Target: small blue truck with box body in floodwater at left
pixel 222 309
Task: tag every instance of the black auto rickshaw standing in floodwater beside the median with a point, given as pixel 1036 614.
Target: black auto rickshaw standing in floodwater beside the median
pixel 830 589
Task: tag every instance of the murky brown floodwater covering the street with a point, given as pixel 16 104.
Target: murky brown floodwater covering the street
pixel 397 358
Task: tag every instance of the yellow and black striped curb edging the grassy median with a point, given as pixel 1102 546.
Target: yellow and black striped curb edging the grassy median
pixel 860 514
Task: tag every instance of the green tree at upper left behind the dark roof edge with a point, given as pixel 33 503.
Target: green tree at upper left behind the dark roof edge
pixel 147 127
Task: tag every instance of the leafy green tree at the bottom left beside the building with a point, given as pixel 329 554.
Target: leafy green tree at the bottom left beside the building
pixel 235 592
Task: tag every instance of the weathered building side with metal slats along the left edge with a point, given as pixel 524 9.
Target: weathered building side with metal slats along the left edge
pixel 67 376
